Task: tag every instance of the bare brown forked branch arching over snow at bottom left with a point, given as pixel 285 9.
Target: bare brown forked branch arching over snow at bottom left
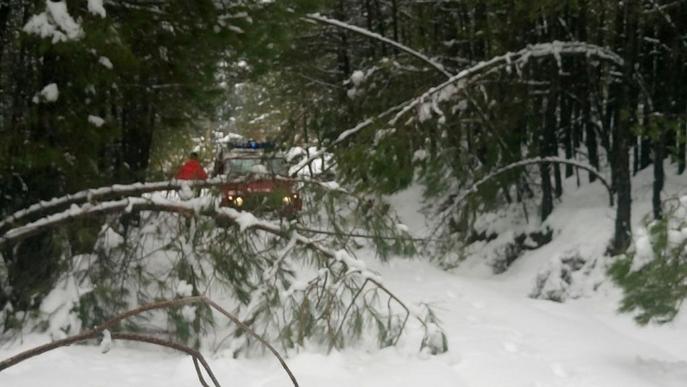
pixel 93 333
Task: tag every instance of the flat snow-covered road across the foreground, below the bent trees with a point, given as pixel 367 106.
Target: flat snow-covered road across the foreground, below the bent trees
pixel 496 338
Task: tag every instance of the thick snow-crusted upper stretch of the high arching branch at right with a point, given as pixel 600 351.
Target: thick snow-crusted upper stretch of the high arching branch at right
pixel 509 60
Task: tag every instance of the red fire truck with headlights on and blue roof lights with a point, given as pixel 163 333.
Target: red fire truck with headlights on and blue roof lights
pixel 259 179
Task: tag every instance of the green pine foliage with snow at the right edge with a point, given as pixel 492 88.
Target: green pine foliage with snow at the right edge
pixel 653 275
